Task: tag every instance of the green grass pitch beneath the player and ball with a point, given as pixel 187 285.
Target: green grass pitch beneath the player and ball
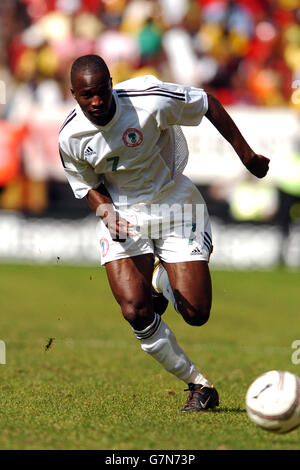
pixel 76 378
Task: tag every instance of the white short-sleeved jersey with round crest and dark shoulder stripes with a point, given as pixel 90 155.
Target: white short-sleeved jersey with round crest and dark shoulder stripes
pixel 141 151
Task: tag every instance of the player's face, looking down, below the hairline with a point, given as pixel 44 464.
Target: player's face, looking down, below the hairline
pixel 93 93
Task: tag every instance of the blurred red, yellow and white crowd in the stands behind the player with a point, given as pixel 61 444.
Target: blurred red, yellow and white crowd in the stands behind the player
pixel 245 52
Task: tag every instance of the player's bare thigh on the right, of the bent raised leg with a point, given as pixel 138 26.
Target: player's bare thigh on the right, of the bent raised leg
pixel 192 287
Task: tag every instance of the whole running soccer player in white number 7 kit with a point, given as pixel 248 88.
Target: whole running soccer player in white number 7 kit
pixel 124 150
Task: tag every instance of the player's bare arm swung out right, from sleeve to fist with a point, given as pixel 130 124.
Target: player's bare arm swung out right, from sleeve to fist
pixel 258 165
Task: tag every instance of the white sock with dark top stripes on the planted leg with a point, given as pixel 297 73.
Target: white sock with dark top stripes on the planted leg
pixel 159 341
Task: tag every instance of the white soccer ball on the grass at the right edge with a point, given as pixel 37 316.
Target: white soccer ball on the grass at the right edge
pixel 273 401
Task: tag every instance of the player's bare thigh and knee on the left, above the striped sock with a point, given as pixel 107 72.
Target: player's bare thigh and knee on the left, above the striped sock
pixel 130 282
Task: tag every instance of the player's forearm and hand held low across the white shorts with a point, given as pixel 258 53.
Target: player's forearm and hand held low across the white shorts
pixel 101 202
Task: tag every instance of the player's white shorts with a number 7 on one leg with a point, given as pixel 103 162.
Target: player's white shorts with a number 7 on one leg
pixel 175 229
